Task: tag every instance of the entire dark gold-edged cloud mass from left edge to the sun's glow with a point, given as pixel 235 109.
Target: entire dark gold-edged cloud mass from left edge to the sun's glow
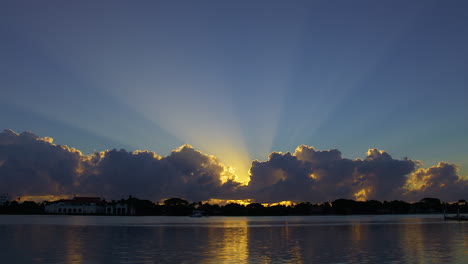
pixel 30 165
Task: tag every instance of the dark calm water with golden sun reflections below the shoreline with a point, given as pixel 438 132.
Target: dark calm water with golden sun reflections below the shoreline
pixel 311 239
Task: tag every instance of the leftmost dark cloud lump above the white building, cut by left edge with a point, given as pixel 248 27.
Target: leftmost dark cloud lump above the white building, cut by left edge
pixel 35 166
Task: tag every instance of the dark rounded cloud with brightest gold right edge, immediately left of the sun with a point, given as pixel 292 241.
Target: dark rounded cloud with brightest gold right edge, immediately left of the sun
pixel 185 173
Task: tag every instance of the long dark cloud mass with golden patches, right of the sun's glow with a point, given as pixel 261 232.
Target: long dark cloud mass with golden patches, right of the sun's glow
pixel 313 175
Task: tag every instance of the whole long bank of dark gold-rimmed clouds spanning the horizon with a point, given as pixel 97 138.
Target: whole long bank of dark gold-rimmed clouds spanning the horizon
pixel 34 166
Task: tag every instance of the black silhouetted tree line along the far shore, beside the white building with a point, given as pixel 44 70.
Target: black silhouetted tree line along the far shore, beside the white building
pixel 181 207
